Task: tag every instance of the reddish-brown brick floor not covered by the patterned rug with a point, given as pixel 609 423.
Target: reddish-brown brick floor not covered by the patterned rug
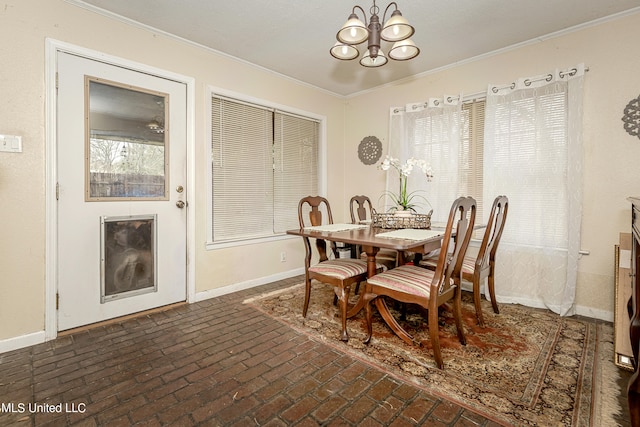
pixel 216 363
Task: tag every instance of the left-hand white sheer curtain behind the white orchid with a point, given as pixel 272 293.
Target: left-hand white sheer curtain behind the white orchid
pixel 431 131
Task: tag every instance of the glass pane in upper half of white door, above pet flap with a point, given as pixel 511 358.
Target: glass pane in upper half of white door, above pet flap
pixel 126 142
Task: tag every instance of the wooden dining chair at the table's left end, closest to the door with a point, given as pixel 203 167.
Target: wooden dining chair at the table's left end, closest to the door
pixel 341 273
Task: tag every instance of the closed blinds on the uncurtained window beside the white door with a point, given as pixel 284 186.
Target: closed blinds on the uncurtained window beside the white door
pixel 263 161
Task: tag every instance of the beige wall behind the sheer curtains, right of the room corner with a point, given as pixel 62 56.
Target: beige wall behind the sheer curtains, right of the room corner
pixel 611 171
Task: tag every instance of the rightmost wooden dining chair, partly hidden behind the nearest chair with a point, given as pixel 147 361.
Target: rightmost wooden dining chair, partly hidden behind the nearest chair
pixel 477 269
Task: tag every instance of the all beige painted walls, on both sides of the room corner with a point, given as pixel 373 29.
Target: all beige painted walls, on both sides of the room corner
pixel 610 175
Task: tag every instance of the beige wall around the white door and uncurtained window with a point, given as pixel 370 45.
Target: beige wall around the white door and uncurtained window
pixel 24 27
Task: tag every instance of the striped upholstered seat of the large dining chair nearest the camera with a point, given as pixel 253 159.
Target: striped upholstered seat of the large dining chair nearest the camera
pixel 406 278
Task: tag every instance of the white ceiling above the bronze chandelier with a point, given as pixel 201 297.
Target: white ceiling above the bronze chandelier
pixel 293 38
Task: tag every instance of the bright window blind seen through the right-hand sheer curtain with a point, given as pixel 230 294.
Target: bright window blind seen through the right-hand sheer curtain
pixel 528 158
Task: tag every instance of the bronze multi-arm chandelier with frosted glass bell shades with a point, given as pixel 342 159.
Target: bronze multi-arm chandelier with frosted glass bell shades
pixel 354 32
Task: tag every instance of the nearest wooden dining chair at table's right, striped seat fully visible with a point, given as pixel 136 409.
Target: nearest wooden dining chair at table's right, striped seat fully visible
pixel 430 288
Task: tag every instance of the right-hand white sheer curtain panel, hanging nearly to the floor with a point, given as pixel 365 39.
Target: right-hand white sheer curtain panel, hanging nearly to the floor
pixel 533 154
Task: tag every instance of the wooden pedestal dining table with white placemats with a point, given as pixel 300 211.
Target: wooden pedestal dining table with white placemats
pixel 371 239
